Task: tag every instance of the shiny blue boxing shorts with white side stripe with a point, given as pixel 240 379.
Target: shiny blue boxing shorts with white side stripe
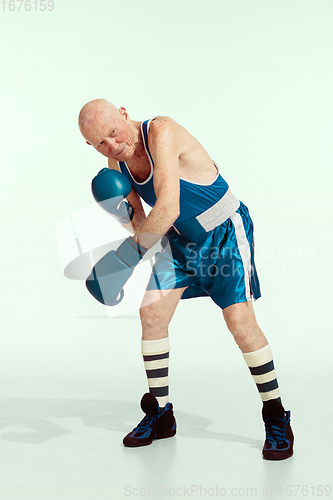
pixel 218 263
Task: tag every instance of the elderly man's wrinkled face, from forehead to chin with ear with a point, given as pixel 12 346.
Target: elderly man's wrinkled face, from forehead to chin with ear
pixel 111 135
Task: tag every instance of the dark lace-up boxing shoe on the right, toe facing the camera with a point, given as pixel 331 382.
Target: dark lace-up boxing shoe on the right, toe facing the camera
pixel 279 436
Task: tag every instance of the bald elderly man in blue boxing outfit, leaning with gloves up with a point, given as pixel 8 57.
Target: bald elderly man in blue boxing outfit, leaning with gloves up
pixel 208 251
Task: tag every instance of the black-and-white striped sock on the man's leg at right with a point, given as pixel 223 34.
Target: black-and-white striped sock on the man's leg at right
pixel 261 366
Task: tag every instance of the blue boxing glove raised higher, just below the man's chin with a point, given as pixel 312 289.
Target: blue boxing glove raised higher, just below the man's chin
pixel 109 188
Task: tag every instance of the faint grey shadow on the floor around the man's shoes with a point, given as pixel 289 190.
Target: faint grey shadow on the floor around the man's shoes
pixel 35 420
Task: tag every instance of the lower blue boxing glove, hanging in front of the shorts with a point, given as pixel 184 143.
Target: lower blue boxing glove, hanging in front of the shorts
pixel 112 271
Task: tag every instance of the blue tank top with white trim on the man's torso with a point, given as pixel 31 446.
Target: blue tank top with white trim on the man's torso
pixel 194 198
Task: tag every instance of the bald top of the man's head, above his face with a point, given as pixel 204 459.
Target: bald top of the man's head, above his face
pixel 94 112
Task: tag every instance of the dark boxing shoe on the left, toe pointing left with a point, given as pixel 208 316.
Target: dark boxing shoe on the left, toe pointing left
pixel 157 424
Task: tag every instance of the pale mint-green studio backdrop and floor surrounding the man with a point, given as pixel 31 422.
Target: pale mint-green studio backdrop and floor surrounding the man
pixel 253 81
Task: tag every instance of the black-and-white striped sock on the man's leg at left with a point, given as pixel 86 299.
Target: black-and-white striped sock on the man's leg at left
pixel 156 360
